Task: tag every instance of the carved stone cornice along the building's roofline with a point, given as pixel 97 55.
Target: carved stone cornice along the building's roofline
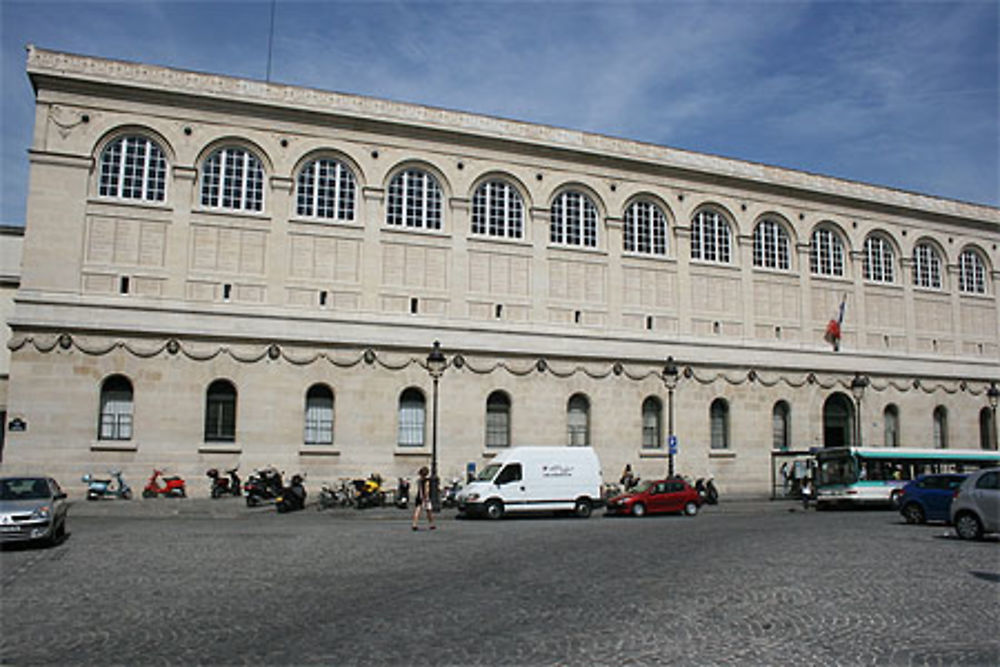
pixel 43 63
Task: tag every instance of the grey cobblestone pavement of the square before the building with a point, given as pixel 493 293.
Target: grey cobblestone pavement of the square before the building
pixel 747 584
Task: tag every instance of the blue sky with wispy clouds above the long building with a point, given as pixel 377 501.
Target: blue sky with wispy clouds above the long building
pixel 901 94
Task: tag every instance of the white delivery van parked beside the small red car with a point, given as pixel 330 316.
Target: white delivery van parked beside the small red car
pixel 535 479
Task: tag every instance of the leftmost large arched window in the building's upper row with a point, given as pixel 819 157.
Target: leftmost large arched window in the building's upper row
pixel 133 167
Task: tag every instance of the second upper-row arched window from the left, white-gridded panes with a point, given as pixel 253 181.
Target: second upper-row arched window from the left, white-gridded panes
pixel 233 178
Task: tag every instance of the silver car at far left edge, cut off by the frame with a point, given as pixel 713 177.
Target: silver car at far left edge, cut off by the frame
pixel 32 509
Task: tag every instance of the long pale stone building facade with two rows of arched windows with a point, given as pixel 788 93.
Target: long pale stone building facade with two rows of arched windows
pixel 221 271
